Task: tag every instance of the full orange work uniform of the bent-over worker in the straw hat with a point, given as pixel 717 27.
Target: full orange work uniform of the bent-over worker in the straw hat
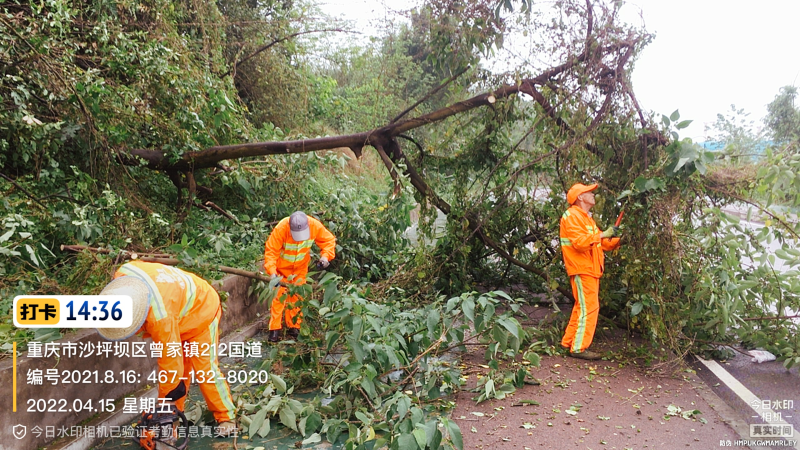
pixel 184 308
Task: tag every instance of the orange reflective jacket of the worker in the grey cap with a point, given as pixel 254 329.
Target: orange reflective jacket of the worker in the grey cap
pixel 285 256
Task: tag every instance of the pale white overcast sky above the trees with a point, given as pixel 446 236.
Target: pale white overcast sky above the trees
pixel 707 54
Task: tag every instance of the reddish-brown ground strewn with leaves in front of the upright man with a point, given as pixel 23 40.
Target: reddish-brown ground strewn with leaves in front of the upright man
pixel 615 403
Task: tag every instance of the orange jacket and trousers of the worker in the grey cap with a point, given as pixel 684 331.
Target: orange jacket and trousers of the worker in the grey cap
pixel 289 259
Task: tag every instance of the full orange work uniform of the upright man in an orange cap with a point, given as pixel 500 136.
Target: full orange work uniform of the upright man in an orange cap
pixel 582 249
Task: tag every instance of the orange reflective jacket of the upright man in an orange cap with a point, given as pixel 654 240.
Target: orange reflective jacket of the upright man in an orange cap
pixel 581 244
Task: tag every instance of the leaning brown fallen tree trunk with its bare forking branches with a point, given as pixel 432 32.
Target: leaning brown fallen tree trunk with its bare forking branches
pixel 597 75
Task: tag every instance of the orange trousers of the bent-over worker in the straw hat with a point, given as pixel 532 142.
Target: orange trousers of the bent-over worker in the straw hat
pixel 212 382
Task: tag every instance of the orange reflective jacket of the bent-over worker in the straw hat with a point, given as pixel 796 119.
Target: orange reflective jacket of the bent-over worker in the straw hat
pixel 182 305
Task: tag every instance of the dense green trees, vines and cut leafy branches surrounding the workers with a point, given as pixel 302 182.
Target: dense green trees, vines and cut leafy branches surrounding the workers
pixel 93 91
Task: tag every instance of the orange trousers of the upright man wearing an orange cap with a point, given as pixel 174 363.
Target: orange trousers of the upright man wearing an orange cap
pixel 583 321
